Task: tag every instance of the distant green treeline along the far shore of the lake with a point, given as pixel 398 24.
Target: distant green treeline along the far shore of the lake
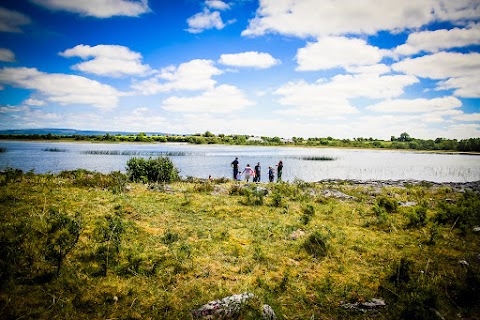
pixel 404 141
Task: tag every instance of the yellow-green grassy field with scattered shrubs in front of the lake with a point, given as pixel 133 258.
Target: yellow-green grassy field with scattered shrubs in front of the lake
pixel 83 245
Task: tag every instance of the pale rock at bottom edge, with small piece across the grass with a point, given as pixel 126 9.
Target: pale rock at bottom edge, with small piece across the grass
pixel 230 308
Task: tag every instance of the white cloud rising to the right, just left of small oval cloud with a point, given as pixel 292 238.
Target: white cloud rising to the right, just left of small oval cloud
pixel 193 75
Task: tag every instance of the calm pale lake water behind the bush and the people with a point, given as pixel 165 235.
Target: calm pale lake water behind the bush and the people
pixel 204 160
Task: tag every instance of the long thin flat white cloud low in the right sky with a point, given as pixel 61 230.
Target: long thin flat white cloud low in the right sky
pixel 419 105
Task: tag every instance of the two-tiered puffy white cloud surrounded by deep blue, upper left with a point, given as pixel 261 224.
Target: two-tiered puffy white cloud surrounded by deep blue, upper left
pixel 108 60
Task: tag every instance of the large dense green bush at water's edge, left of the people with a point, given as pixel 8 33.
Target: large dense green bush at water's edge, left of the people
pixel 160 169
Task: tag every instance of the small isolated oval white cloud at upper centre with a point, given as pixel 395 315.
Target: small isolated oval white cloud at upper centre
pixel 253 59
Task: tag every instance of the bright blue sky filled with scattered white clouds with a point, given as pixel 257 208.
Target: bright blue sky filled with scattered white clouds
pixel 286 68
